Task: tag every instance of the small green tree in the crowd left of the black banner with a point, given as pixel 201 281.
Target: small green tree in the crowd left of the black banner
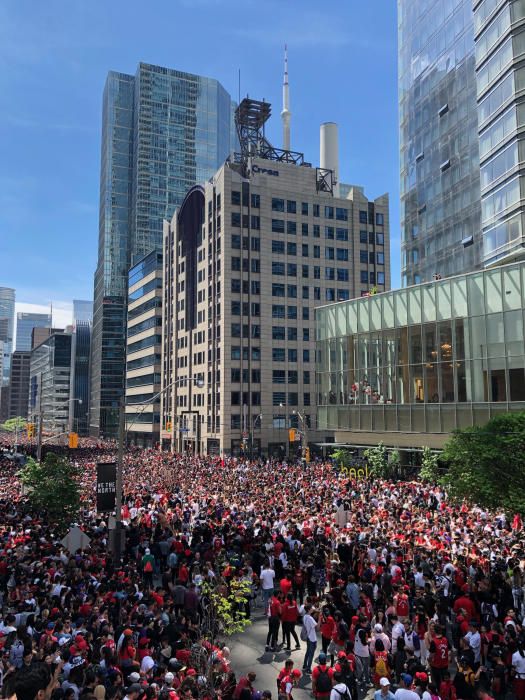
pixel 53 488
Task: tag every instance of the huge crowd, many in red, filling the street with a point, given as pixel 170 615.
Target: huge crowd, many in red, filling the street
pixel 366 586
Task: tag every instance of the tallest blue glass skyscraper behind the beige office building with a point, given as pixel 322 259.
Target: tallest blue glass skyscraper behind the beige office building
pixel 162 131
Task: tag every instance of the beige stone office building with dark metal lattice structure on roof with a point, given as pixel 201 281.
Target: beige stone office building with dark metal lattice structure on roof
pixel 247 258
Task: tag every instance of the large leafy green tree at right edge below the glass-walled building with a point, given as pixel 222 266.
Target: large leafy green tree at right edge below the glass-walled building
pixel 487 464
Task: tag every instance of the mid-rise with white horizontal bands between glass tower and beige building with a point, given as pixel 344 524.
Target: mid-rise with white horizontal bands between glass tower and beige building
pixel 143 351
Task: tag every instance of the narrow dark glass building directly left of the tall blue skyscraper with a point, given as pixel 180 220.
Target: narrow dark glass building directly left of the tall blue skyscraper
pixel 79 380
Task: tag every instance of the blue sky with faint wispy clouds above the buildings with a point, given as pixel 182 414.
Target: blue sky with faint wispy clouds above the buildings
pixel 54 57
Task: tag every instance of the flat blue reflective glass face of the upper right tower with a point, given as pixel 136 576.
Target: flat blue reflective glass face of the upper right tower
pixel 439 152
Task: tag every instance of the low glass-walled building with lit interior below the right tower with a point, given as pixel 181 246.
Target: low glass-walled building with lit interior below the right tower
pixel 426 359
